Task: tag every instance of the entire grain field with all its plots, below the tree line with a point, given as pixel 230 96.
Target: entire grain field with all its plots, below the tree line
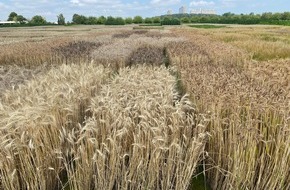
pixel 117 108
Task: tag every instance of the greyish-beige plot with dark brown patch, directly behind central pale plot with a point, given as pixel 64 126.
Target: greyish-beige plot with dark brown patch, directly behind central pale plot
pixel 118 53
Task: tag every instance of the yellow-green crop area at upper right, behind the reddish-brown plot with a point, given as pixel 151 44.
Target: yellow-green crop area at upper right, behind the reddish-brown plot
pixel 261 43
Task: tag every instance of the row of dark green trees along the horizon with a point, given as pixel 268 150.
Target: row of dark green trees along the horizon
pixel 176 19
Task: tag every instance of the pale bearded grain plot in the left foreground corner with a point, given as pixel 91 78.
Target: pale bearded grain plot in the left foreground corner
pixel 32 120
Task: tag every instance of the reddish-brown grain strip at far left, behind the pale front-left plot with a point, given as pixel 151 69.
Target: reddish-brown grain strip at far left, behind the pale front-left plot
pixel 33 54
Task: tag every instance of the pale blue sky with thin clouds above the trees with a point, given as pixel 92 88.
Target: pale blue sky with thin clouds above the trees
pixel 124 8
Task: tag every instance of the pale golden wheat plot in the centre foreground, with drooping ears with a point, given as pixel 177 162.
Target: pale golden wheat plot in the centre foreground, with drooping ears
pixel 139 137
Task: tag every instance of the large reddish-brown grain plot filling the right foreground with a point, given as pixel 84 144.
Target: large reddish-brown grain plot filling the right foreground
pixel 249 147
